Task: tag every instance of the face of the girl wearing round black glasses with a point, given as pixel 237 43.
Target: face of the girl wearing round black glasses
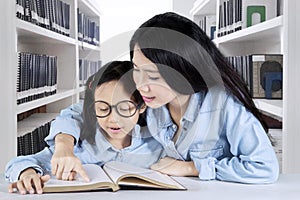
pixel 115 126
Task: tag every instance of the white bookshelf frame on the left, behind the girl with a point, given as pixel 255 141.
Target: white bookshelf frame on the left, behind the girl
pixel 23 36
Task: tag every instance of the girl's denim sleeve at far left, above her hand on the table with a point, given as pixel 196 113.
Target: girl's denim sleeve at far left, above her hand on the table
pixel 40 161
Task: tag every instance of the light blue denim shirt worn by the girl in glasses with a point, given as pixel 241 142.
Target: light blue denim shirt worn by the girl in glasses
pixel 143 151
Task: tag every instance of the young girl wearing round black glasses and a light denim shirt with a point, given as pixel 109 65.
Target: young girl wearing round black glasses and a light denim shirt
pixel 109 132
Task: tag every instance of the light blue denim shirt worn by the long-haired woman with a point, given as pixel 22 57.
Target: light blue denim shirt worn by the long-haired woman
pixel 225 141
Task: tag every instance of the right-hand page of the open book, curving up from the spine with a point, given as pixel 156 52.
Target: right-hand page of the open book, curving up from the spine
pixel 119 170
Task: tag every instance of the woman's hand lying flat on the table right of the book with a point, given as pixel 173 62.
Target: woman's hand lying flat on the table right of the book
pixel 175 167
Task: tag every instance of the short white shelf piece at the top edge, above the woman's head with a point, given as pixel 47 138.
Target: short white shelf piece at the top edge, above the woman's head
pixel 204 7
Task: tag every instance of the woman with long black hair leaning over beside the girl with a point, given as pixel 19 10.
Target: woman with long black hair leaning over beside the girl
pixel 199 109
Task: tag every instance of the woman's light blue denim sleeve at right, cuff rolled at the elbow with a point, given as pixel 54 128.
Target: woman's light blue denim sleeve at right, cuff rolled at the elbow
pixel 253 158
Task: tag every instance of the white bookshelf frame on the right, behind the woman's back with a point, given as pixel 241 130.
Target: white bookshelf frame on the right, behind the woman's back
pixel 274 36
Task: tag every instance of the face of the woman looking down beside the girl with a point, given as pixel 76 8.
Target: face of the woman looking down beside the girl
pixel 151 85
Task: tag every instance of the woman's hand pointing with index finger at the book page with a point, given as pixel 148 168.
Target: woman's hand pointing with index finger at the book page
pixel 64 163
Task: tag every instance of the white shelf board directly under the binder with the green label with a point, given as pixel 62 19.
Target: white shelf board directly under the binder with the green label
pixel 265 31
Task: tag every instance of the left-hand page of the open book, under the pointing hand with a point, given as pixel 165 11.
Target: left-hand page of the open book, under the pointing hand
pixel 94 172
